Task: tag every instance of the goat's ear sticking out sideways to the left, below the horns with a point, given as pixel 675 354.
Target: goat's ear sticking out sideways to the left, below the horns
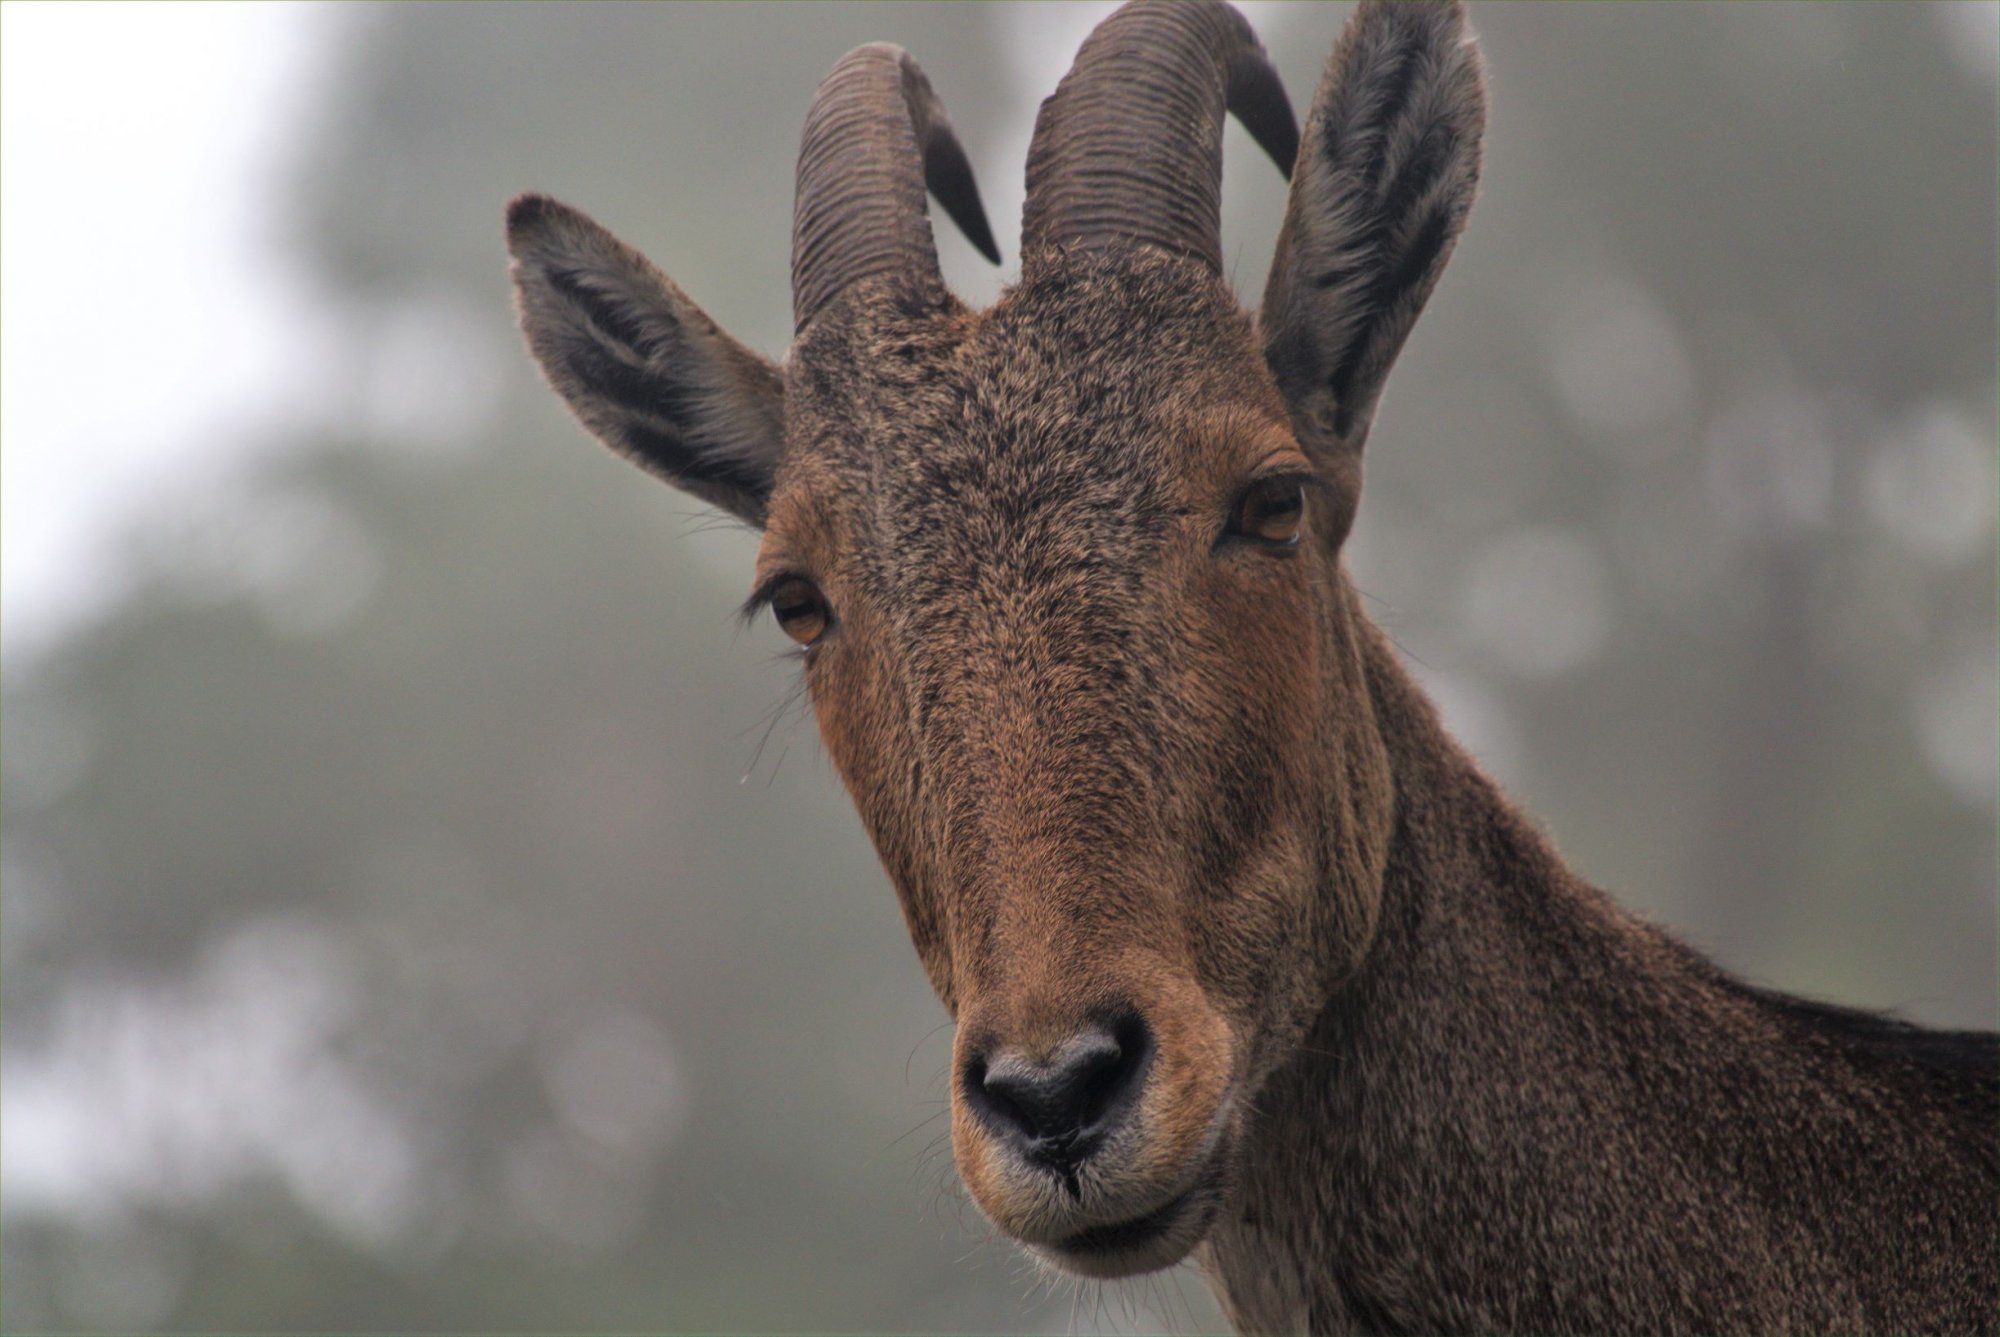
pixel 645 369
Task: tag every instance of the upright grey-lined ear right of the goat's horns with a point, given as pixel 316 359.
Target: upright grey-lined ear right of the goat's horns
pixel 1385 179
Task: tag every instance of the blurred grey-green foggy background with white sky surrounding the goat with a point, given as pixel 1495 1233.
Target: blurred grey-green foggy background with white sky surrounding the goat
pixel 423 910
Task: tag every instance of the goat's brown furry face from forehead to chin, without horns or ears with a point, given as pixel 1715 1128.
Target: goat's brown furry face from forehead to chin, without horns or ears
pixel 1073 609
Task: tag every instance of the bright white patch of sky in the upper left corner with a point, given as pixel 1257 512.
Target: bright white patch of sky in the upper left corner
pixel 153 325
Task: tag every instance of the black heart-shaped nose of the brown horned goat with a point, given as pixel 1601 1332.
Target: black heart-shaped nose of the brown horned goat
pixel 1061 1110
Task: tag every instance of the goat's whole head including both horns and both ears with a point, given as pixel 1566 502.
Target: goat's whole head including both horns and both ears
pixel 1065 573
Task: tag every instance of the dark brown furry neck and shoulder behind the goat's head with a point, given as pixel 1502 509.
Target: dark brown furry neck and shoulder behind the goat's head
pixel 1529 1112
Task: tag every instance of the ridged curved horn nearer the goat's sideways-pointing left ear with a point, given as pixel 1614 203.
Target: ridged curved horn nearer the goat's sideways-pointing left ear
pixel 875 137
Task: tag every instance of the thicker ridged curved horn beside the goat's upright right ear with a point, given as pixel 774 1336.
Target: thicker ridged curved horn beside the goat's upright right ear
pixel 1131 143
